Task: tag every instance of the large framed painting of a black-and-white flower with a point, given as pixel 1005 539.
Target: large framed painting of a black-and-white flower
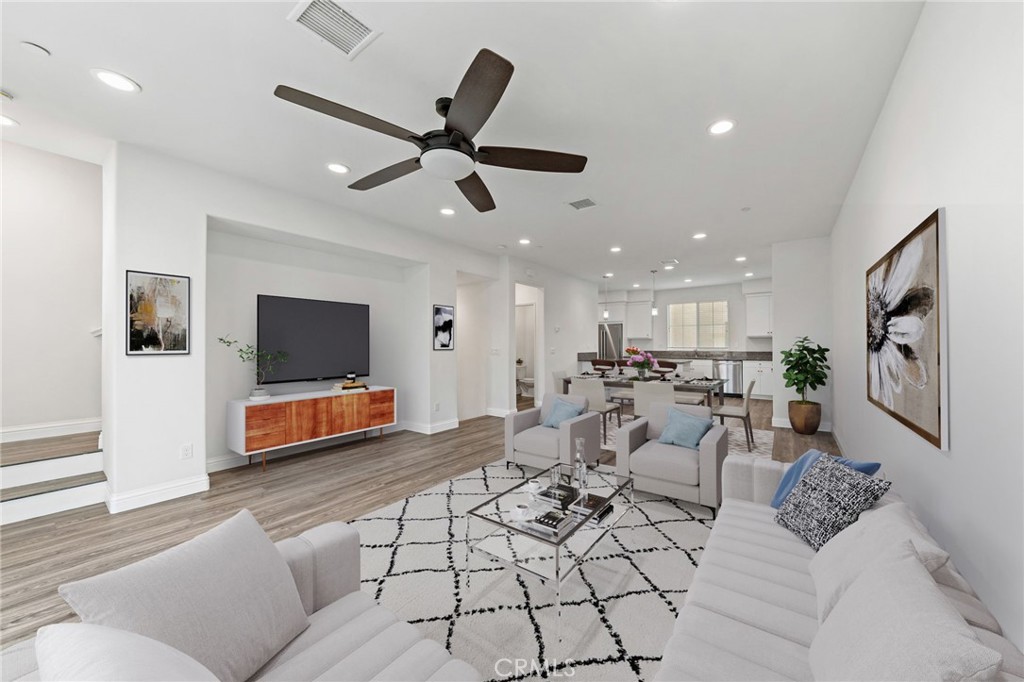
pixel 908 377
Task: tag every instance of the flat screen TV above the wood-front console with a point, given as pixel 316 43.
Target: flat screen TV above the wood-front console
pixel 323 339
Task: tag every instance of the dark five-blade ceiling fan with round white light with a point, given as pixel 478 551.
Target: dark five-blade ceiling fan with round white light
pixel 451 154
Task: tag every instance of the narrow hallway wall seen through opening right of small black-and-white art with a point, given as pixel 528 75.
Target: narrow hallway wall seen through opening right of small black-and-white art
pixel 473 338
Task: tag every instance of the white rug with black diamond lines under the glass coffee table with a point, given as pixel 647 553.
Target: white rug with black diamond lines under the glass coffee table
pixel 618 609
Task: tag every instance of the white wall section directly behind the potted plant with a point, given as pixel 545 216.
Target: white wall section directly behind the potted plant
pixel 801 307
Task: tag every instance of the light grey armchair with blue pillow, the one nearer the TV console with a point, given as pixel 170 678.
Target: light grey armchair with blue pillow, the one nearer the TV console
pixel 527 442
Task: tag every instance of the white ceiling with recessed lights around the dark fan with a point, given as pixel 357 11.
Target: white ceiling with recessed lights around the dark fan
pixel 633 87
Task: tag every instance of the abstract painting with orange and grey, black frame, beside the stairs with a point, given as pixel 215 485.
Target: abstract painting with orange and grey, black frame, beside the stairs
pixel 159 311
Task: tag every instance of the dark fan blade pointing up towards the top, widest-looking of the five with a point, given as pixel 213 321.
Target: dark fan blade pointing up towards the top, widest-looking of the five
pixel 479 94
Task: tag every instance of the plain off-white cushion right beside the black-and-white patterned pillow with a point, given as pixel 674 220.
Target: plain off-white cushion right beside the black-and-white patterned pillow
pixel 844 558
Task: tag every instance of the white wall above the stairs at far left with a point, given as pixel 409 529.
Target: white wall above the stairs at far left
pixel 52 216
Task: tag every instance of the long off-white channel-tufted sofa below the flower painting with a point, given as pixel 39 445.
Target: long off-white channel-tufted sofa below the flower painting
pixel 753 609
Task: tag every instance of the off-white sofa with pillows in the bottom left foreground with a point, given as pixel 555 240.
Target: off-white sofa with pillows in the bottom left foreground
pixel 344 633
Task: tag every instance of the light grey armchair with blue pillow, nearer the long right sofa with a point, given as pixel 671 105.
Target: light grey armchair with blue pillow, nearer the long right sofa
pixel 694 476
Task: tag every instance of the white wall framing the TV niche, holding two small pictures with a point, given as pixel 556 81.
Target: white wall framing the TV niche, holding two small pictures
pixel 155 219
